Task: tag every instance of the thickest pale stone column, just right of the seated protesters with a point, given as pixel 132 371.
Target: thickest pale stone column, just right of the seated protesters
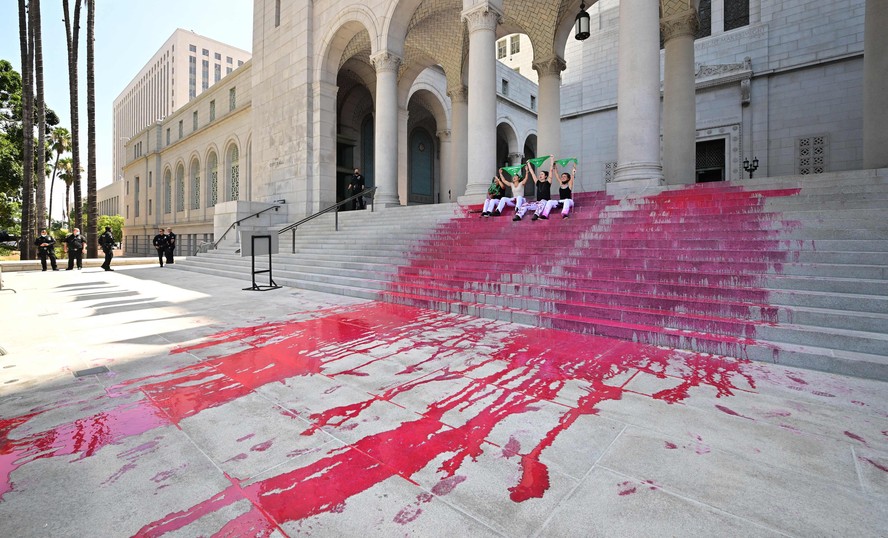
pixel 638 99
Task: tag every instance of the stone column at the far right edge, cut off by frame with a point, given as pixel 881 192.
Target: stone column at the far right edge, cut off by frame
pixel 875 85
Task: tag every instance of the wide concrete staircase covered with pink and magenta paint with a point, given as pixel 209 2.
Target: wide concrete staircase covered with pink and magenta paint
pixel 789 270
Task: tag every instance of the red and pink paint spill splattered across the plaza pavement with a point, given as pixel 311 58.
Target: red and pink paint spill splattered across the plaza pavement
pixel 519 377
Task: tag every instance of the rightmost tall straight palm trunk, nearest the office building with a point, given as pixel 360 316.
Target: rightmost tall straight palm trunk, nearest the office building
pixel 92 238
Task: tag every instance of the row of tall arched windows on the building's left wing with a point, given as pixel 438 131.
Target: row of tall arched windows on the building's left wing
pixel 174 190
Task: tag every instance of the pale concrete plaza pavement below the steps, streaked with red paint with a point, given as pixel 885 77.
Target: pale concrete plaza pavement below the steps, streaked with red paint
pixel 283 413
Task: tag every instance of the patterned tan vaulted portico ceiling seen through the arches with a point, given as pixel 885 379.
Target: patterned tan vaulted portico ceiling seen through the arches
pixel 436 33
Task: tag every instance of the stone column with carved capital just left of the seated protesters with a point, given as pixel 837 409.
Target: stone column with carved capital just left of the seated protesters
pixel 481 151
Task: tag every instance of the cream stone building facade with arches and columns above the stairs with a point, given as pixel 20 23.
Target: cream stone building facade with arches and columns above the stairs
pixel 410 91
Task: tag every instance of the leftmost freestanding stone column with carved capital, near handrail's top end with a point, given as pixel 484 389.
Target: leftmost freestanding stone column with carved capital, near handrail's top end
pixel 386 128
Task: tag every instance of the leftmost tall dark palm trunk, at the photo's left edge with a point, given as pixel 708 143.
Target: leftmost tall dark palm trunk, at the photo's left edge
pixel 27 131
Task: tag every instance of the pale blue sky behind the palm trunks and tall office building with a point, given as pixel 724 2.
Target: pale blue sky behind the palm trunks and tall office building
pixel 128 33
